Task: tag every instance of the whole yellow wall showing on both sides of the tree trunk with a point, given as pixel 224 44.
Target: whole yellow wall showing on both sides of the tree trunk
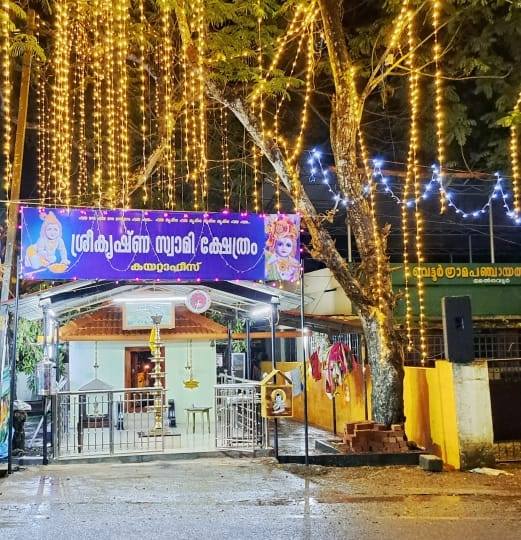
pixel 429 400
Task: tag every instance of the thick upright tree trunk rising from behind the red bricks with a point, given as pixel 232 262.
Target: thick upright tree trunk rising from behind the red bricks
pixel 376 313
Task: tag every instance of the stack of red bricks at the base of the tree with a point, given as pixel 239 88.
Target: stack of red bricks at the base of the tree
pixel 372 437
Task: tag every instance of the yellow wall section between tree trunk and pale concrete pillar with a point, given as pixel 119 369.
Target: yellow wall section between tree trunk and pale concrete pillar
pixel 430 410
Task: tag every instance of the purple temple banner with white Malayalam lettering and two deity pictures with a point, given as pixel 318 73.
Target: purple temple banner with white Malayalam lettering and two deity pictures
pixel 90 243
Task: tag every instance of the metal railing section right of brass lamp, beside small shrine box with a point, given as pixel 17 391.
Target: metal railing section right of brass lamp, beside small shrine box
pixel 238 421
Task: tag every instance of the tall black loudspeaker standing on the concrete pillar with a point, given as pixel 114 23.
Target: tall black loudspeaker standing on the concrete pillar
pixel 458 336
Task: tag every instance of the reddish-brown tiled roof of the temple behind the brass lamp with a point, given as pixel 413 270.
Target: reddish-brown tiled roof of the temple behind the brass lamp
pixel 107 324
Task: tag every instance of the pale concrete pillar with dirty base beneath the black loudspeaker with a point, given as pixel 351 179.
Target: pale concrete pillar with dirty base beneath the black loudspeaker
pixel 473 414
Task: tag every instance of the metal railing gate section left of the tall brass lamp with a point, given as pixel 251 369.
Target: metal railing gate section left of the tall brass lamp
pixel 106 422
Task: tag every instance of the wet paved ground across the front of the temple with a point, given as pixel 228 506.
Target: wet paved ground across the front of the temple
pixel 250 499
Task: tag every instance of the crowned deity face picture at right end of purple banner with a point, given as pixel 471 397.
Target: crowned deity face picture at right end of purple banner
pixel 282 247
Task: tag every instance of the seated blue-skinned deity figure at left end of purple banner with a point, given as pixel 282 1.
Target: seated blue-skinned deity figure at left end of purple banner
pixel 43 253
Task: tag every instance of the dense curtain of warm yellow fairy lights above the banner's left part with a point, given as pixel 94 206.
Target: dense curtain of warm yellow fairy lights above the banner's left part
pixel 88 109
